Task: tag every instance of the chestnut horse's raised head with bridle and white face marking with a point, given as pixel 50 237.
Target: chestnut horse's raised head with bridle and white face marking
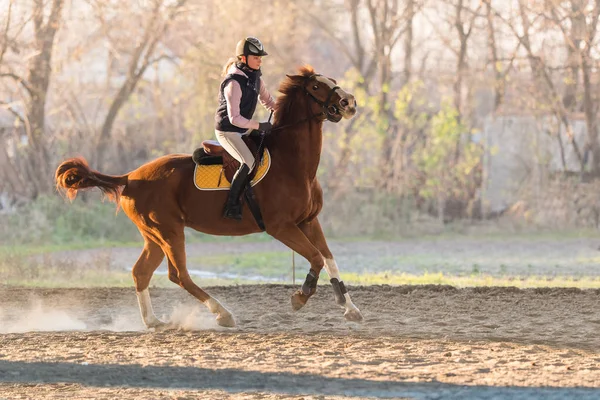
pixel 327 97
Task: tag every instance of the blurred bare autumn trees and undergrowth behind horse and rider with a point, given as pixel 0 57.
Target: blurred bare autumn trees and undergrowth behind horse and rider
pixel 476 118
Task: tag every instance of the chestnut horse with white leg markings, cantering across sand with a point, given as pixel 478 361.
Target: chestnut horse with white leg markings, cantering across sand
pixel 161 199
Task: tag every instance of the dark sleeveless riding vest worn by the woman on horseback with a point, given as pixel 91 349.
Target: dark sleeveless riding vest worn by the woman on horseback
pixel 250 90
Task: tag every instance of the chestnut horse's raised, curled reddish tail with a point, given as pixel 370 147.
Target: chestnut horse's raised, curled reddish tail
pixel 74 174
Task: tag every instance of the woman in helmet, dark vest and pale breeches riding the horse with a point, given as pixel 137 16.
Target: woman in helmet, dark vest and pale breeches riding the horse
pixel 241 89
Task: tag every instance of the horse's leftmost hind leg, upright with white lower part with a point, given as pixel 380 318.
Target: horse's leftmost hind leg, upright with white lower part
pixel 151 257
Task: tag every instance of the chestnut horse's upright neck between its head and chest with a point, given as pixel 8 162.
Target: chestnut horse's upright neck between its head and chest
pixel 299 146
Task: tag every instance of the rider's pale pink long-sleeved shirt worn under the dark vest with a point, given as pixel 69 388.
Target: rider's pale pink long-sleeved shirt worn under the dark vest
pixel 233 95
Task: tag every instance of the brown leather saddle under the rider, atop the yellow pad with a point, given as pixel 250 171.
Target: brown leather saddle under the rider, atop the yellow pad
pixel 212 153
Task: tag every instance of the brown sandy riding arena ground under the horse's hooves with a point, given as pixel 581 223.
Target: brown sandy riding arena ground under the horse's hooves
pixel 426 342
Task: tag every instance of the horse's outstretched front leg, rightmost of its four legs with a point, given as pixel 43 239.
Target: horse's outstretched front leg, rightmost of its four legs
pixel 314 233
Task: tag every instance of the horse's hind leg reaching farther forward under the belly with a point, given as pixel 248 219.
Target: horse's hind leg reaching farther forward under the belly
pixel 174 248
